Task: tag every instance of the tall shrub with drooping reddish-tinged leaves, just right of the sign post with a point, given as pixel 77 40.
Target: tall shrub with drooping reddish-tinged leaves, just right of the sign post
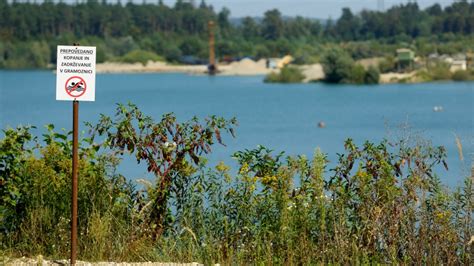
pixel 170 149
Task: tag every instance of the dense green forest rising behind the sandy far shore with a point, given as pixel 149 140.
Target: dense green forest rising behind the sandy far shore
pixel 130 32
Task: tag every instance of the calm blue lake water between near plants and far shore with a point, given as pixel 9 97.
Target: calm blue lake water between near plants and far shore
pixel 281 117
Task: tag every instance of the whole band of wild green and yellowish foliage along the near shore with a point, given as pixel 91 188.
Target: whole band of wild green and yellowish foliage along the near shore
pixel 381 202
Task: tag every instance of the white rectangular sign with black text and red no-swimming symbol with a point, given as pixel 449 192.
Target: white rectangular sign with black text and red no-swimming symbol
pixel 75 73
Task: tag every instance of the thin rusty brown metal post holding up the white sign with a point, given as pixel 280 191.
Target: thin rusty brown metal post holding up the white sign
pixel 75 142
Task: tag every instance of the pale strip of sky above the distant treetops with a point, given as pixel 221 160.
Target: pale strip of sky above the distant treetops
pixel 307 8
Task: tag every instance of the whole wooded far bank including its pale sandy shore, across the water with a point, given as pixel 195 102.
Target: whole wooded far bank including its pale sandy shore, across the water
pixel 174 39
